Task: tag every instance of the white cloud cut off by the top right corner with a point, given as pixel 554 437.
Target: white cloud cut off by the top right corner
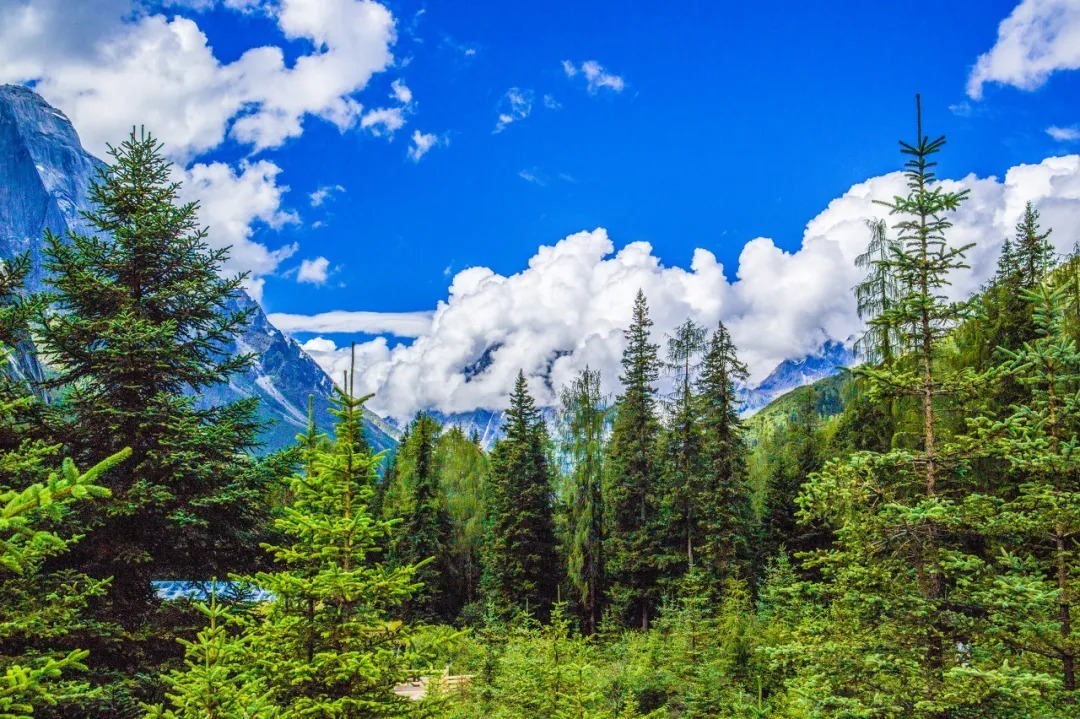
pixel 1039 38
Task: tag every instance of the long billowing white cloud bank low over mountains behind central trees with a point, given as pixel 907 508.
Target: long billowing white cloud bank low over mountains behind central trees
pixel 569 308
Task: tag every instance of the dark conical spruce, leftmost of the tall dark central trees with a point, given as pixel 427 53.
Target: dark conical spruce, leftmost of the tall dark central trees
pixel 522 567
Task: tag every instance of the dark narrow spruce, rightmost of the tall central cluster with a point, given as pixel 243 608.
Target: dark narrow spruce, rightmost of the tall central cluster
pixel 725 525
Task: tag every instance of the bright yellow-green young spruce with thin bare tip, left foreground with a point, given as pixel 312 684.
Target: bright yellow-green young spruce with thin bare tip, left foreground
pixel 329 644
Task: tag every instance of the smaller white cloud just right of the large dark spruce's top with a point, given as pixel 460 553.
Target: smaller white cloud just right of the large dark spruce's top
pixel 233 204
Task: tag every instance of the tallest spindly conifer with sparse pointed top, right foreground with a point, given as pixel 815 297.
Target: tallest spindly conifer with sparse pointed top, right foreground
pixel 897 640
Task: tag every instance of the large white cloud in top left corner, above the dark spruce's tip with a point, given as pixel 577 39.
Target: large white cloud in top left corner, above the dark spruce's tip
pixel 111 64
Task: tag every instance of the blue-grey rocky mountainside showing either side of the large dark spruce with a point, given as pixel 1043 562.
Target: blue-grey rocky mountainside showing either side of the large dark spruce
pixel 45 178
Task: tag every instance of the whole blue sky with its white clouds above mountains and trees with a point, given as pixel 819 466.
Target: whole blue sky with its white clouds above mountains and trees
pixel 353 154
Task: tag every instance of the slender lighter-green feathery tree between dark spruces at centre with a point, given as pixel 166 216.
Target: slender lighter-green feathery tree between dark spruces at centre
pixel 584 420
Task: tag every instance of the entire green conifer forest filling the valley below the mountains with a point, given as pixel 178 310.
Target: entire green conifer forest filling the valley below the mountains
pixel 900 540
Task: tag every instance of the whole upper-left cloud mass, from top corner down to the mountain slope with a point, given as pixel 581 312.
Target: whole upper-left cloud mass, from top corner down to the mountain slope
pixel 111 64
